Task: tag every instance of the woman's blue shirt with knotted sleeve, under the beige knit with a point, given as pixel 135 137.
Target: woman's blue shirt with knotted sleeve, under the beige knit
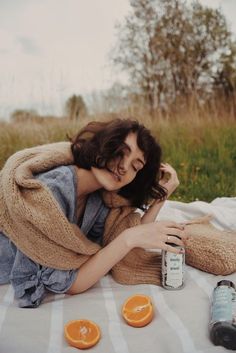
pixel 31 280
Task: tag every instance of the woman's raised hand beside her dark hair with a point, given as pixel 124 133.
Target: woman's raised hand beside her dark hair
pixel 169 179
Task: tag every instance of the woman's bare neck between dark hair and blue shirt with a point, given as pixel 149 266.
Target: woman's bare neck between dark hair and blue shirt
pixel 87 181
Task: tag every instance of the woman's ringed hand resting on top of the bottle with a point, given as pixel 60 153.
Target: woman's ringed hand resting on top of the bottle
pixel 157 235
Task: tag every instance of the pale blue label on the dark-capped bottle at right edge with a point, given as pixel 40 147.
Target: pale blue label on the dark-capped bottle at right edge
pixel 222 304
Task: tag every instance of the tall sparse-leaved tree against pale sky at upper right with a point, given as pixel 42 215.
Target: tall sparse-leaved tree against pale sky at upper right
pixel 171 49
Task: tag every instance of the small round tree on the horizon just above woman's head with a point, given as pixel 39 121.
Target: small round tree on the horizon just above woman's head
pixel 75 107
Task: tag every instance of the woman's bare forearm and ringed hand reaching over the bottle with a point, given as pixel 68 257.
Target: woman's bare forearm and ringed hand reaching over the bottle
pixel 152 235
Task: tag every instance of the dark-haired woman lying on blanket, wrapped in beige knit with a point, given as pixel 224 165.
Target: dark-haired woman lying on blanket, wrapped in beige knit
pixel 68 212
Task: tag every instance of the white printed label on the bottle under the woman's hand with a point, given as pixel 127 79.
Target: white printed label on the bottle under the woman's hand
pixel 173 270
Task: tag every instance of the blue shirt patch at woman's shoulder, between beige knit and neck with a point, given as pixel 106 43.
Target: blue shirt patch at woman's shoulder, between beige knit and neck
pixel 62 184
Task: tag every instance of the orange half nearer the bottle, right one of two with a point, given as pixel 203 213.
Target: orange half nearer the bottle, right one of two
pixel 138 310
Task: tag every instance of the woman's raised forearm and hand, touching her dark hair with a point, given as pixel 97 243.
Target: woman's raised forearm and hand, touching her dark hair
pixel 170 182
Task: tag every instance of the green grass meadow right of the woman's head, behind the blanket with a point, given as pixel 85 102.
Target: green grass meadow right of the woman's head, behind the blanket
pixel 205 159
